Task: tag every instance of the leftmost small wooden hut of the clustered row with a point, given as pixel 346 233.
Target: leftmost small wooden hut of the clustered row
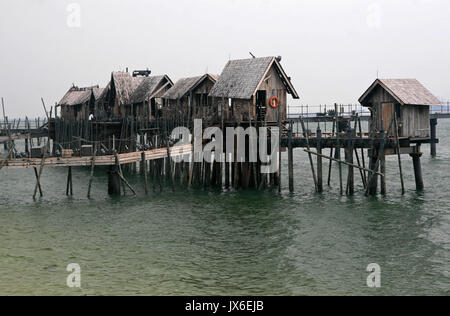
pixel 78 103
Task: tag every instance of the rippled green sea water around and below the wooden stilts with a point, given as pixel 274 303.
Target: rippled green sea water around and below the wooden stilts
pixel 228 243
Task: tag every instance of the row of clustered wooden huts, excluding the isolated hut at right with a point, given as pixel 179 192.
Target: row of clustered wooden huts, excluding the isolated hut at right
pixel 241 93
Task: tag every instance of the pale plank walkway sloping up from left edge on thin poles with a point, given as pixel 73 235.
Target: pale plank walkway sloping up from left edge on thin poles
pixel 134 157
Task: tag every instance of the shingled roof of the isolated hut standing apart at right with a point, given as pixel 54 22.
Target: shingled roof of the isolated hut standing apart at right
pixel 405 91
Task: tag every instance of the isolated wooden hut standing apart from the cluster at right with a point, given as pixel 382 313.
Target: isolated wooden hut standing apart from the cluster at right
pixel 407 98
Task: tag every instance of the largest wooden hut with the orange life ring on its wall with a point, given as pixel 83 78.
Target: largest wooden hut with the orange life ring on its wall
pixel 246 86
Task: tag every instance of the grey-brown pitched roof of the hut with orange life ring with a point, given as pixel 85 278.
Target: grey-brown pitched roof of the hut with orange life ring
pixel 241 78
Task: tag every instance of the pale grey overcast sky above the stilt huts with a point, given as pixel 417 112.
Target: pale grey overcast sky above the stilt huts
pixel 331 49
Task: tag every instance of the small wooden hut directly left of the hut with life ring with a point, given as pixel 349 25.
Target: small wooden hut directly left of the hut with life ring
pixel 189 97
